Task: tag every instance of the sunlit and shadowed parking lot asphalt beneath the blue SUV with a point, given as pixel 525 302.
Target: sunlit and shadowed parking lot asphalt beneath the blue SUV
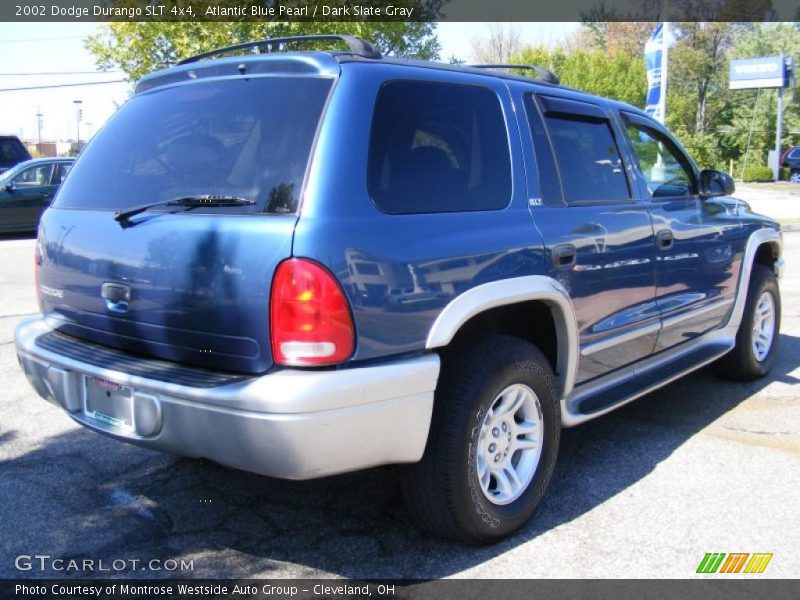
pixel 702 465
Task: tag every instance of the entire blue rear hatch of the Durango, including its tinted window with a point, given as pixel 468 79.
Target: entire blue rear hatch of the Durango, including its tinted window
pixel 189 284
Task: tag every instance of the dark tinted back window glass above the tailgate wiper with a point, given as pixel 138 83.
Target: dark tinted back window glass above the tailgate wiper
pixel 249 138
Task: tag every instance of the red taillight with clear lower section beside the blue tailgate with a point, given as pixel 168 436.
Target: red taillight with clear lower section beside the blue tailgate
pixel 309 316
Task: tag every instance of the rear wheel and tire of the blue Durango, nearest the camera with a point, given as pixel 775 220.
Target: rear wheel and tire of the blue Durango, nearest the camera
pixel 444 491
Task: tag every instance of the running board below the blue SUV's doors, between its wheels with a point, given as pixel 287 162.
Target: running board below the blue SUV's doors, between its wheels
pixel 610 392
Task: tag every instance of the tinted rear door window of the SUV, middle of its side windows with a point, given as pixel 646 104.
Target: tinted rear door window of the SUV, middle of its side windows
pixel 589 161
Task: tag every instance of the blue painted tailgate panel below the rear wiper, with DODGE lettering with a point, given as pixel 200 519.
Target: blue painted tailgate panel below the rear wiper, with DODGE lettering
pixel 199 283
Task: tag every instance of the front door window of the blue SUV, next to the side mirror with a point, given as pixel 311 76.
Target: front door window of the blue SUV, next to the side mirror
pixel 663 172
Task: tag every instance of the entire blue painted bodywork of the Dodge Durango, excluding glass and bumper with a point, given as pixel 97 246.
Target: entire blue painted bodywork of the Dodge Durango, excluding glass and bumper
pixel 200 283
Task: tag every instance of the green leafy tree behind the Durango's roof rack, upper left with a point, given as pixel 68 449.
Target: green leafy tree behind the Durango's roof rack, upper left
pixel 138 48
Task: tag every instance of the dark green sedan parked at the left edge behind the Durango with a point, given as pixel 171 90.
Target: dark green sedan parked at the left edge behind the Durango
pixel 27 189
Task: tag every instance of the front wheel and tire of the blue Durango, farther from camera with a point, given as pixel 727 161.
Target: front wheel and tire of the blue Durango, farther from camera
pixel 749 361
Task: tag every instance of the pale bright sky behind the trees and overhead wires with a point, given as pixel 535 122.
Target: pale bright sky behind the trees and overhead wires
pixel 30 54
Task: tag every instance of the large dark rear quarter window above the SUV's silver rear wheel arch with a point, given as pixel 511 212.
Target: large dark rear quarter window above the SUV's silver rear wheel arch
pixel 438 148
